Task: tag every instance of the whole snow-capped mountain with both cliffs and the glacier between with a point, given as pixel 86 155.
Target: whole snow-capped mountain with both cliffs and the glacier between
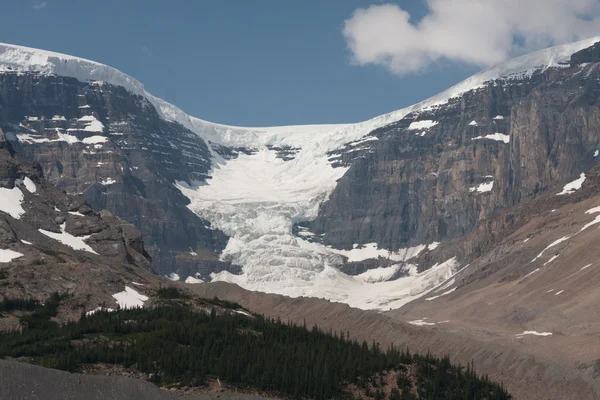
pixel 352 213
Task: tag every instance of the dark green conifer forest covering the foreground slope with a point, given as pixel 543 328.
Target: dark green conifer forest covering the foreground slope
pixel 178 346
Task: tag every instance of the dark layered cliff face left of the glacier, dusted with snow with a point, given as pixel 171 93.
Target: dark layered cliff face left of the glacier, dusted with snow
pixel 113 148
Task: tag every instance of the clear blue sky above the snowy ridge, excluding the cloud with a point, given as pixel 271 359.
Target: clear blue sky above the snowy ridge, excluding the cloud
pixel 252 63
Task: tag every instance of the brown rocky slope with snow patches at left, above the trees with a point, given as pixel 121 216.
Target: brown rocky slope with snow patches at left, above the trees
pixel 51 242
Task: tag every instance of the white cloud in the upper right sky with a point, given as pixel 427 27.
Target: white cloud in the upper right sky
pixel 477 32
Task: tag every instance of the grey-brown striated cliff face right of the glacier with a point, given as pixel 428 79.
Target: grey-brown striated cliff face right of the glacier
pixel 435 174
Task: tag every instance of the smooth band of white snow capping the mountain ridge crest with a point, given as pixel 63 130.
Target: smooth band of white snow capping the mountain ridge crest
pixel 325 137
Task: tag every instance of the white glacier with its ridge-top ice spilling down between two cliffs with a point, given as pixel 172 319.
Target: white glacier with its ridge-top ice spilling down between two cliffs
pixel 257 198
